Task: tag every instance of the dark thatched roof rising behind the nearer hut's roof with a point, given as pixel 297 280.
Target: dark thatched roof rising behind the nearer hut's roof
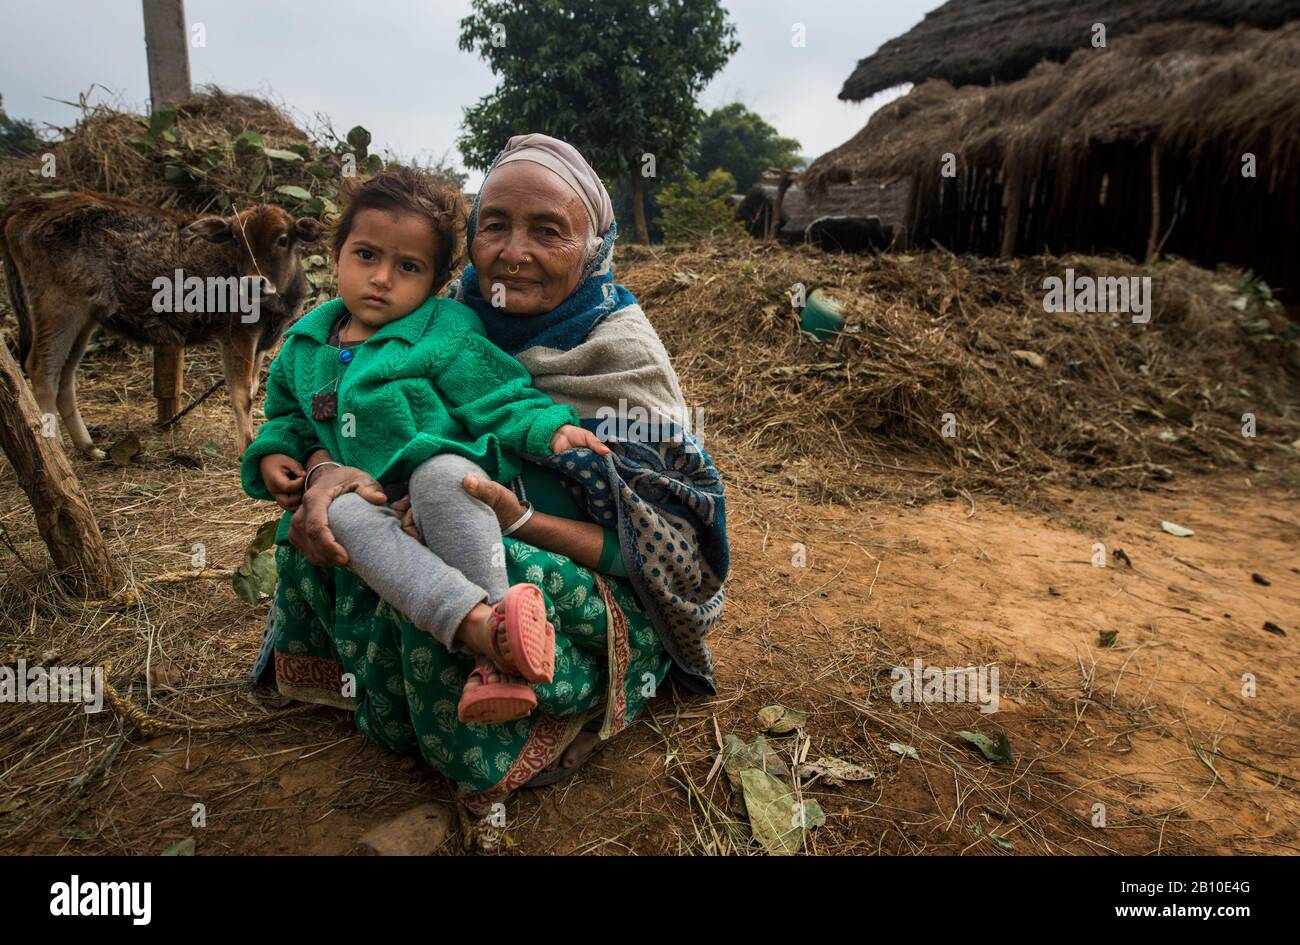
pixel 977 42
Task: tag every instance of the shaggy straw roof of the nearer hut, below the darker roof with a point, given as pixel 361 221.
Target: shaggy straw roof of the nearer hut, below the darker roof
pixel 1175 84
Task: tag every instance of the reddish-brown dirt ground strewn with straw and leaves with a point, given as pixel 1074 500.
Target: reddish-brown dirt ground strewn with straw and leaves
pixel 1156 727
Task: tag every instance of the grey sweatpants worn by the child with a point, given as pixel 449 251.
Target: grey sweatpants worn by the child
pixel 436 584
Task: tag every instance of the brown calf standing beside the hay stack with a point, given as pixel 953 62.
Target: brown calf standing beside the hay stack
pixel 83 261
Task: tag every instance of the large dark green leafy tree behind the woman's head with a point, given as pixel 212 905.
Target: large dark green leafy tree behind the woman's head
pixel 616 80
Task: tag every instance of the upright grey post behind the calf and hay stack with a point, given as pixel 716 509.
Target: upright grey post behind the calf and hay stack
pixel 168 53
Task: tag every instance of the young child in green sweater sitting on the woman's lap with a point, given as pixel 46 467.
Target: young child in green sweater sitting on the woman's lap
pixel 406 387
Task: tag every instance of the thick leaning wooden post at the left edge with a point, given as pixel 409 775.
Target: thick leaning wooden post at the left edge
pixel 64 517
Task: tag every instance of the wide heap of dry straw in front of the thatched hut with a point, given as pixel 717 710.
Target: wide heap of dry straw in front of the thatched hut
pixel 1037 397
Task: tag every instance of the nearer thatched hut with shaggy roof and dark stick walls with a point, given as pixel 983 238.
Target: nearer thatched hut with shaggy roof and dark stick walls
pixel 1130 149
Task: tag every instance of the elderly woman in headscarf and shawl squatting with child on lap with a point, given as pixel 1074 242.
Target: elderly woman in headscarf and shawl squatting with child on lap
pixel 630 549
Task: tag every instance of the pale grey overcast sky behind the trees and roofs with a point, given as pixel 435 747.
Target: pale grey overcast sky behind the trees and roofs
pixel 395 67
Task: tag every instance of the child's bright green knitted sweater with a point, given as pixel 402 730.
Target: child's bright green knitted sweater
pixel 427 384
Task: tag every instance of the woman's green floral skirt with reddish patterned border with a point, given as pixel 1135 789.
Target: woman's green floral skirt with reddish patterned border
pixel 339 644
